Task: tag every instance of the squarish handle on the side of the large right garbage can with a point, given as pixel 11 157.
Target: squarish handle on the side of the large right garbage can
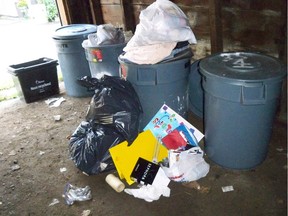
pixel 253 93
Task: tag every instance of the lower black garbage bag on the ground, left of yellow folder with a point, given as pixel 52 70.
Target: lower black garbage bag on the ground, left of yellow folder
pixel 89 147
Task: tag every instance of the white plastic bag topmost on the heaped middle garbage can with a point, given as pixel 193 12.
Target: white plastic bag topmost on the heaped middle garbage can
pixel 162 21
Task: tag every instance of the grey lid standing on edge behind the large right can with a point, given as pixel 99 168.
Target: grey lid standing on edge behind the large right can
pixel 195 92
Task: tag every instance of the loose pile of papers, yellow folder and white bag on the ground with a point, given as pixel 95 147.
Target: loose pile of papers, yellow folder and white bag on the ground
pixel 152 164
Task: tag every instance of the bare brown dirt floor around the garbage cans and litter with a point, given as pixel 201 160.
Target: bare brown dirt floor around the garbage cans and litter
pixel 34 149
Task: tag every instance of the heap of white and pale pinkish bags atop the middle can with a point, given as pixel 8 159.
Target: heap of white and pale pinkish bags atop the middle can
pixel 163 27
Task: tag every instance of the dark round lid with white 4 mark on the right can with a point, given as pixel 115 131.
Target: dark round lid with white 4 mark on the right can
pixel 242 66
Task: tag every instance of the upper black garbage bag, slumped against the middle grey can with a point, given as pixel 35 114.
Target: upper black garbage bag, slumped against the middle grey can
pixel 115 102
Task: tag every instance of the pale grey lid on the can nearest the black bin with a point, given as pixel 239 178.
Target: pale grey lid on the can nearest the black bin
pixel 74 31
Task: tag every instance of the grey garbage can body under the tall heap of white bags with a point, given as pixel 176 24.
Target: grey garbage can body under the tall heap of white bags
pixel 160 83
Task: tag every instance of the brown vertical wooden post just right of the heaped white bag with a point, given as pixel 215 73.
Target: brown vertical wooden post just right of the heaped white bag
pixel 215 18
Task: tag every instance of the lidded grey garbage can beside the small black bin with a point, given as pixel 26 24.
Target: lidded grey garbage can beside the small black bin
pixel 68 40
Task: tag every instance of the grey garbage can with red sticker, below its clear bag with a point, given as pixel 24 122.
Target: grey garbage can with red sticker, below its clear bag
pixel 103 59
